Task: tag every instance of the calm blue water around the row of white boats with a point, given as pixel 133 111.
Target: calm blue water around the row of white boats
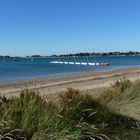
pixel 40 67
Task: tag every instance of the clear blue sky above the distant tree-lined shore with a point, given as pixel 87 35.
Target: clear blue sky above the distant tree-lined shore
pixel 49 27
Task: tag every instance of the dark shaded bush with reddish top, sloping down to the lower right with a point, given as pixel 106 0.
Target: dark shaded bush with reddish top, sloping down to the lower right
pixel 106 121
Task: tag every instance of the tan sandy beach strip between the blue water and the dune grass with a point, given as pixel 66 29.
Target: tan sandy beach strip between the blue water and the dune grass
pixel 85 82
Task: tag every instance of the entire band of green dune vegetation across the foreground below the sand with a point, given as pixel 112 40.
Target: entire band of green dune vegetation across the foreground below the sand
pixel 73 116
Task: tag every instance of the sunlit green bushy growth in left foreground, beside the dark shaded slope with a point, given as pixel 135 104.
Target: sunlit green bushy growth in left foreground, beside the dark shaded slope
pixel 38 118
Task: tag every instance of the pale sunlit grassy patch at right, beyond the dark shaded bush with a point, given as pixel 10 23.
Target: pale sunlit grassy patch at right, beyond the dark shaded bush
pixel 124 98
